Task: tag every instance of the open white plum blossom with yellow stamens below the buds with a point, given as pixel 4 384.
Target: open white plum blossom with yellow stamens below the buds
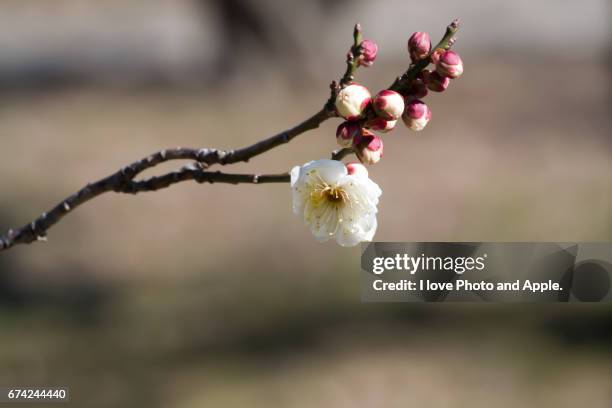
pixel 334 203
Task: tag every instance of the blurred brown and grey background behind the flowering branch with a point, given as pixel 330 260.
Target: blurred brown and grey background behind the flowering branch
pixel 217 295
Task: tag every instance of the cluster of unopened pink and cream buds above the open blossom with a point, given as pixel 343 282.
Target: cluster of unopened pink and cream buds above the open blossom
pixel 365 114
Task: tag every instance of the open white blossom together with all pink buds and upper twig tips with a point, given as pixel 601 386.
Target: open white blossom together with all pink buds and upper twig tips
pixel 338 200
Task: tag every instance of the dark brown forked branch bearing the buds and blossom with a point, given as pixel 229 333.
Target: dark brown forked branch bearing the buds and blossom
pixel 123 181
